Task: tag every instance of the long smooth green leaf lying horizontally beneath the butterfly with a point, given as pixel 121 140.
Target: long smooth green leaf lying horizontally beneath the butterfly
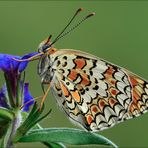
pixel 67 136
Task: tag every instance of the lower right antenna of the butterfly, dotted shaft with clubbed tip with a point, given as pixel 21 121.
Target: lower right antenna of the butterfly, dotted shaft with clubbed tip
pixel 82 20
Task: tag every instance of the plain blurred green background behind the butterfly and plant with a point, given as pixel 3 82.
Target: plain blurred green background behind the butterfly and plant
pixel 118 33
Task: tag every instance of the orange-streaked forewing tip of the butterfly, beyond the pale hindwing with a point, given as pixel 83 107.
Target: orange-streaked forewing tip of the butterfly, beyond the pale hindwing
pixel 139 104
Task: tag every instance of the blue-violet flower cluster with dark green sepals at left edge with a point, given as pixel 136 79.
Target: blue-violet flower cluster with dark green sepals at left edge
pixel 12 71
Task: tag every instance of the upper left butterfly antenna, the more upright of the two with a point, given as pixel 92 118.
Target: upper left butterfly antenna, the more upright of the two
pixel 76 13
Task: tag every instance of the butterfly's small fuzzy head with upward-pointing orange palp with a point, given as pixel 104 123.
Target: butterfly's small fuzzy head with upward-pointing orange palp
pixel 45 45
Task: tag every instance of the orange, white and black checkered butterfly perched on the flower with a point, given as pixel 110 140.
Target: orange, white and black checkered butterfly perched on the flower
pixel 92 92
